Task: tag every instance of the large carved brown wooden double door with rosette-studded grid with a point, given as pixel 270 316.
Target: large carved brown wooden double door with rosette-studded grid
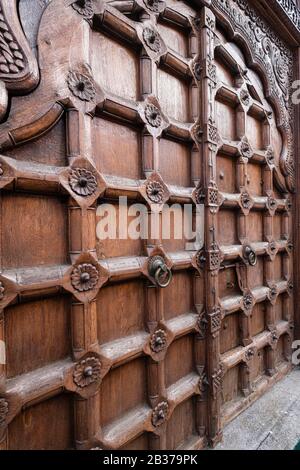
pixel 157 102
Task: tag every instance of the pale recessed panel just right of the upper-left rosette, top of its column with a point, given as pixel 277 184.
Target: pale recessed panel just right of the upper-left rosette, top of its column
pixel 115 55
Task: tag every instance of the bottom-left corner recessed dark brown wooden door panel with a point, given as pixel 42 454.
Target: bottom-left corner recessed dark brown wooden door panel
pixel 36 429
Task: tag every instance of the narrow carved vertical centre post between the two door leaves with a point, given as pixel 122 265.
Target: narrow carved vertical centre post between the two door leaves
pixel 208 151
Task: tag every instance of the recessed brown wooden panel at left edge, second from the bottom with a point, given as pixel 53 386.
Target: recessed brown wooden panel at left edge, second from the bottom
pixel 37 333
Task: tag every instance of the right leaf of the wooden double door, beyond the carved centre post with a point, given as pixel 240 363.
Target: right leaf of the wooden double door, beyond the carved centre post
pixel 240 117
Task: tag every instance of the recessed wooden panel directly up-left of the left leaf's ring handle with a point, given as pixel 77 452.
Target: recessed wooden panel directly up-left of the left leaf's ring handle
pixel 113 230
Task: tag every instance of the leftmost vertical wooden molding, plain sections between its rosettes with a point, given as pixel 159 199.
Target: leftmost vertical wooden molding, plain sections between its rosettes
pixel 82 239
